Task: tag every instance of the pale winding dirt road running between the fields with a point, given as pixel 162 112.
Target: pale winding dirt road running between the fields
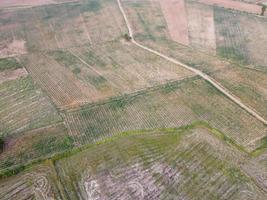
pixel 198 72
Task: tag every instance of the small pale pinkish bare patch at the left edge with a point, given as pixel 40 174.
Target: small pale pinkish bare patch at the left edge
pixel 13 48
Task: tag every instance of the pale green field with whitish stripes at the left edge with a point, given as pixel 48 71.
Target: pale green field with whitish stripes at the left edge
pixel 24 106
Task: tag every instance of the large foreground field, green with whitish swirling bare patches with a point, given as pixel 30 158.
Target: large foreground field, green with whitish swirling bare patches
pixel 188 164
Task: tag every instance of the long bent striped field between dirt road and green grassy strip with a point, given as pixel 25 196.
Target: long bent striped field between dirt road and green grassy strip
pixel 172 105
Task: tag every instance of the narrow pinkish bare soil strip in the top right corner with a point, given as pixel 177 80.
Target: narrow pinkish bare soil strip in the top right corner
pixel 236 5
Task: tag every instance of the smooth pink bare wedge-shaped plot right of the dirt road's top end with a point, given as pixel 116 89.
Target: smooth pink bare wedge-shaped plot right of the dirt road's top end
pixel 175 15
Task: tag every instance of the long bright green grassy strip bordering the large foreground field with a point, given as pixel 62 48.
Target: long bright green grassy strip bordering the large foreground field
pixel 180 130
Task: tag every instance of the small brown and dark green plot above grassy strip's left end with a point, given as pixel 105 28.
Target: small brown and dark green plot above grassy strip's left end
pixel 35 144
